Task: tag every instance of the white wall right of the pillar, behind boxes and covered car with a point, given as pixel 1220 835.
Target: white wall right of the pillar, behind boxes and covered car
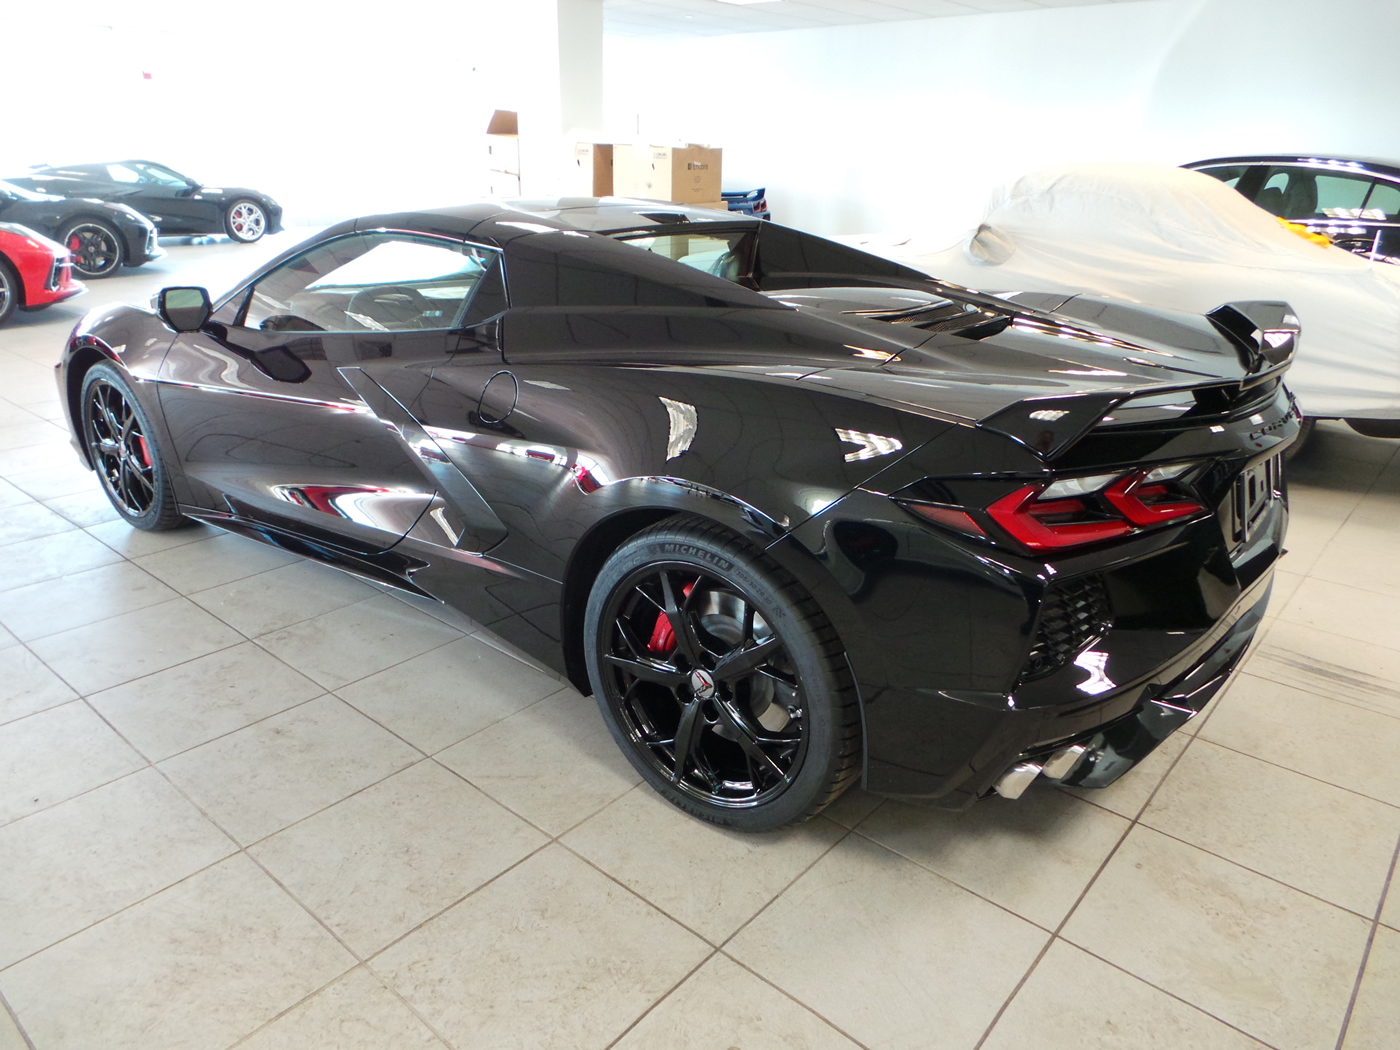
pixel 905 127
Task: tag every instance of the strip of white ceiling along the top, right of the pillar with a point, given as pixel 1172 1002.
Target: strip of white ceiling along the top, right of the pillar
pixel 715 19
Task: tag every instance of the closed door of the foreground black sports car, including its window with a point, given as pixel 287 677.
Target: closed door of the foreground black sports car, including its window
pixel 288 408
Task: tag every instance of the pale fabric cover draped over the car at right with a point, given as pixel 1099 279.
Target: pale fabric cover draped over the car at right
pixel 1181 240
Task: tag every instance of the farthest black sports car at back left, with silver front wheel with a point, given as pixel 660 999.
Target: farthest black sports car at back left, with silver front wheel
pixel 177 204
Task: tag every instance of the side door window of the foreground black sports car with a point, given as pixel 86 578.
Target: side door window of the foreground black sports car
pixel 370 283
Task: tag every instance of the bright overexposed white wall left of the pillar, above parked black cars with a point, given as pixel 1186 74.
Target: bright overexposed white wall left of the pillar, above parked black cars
pixel 334 108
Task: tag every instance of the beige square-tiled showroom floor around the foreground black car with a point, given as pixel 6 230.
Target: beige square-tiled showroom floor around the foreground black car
pixel 247 801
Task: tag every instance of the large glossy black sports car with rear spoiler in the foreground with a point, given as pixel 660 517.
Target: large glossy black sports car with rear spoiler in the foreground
pixel 794 514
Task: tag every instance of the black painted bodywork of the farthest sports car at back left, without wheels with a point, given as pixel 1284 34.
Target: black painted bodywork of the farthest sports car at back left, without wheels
pixel 176 208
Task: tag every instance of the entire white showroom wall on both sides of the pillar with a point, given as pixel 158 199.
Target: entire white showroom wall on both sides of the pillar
pixel 352 107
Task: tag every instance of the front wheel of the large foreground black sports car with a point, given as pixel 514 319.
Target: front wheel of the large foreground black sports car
pixel 125 454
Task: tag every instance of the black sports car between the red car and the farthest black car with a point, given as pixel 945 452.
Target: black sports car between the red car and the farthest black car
pixel 103 237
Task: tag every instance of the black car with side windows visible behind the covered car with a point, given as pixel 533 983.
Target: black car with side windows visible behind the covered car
pixel 1354 202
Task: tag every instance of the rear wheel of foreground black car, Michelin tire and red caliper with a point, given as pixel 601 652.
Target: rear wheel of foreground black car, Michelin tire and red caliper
pixel 722 678
